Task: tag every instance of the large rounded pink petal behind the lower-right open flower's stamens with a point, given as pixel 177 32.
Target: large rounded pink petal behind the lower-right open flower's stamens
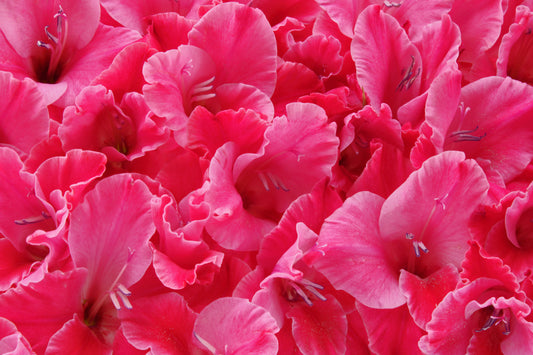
pixel 434 205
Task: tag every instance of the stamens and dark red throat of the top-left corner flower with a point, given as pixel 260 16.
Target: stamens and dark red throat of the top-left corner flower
pixel 55 45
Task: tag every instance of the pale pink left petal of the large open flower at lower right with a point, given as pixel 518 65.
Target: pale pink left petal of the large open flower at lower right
pixel 355 260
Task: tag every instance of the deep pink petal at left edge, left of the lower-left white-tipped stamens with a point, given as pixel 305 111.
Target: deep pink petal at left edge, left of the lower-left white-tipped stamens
pixel 40 309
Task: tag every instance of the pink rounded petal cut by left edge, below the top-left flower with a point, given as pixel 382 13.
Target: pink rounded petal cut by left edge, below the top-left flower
pixel 21 99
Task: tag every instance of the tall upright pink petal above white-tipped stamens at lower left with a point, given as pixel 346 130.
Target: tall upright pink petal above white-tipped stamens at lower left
pixel 106 234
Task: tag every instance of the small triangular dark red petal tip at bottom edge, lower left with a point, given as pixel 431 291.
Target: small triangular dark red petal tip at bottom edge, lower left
pixel 75 337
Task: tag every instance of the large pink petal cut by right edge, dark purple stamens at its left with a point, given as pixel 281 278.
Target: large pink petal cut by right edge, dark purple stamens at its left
pixel 495 124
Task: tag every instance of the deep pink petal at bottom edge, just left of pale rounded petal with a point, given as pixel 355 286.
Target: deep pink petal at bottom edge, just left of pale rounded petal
pixel 163 323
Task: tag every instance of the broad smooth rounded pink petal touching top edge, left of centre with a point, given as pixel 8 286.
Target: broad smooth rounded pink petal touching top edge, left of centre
pixel 244 51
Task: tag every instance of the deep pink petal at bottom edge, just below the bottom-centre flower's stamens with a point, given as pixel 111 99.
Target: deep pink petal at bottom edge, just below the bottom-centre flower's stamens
pixel 322 330
